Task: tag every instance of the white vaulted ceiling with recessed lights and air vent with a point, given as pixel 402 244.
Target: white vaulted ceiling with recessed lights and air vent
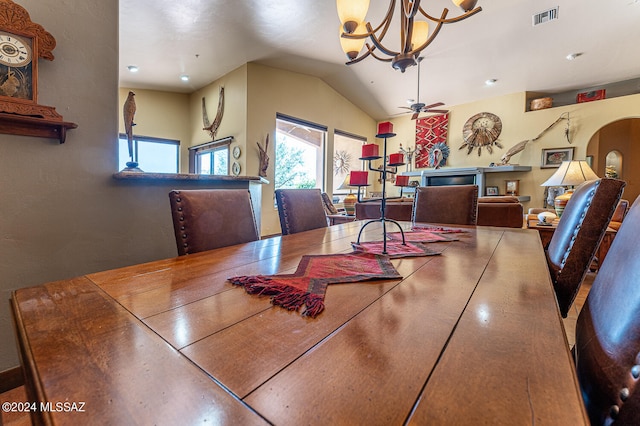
pixel 206 39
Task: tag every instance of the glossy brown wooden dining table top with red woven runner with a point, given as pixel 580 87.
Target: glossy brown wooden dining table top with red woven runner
pixel 470 336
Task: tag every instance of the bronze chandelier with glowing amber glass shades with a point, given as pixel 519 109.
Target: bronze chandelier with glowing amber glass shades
pixel 414 33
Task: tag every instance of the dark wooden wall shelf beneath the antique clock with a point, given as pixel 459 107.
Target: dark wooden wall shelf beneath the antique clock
pixel 13 124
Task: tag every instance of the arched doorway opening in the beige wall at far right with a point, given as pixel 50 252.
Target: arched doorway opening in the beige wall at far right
pixel 615 148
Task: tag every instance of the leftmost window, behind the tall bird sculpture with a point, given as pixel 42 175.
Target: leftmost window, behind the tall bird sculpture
pixel 154 155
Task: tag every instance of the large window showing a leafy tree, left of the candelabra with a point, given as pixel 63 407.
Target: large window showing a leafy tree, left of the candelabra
pixel 299 149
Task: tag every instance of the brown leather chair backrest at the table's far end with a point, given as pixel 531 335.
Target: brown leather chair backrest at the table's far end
pixel 452 204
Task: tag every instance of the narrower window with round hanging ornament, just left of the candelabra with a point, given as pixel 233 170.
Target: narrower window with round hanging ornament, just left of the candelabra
pixel 347 150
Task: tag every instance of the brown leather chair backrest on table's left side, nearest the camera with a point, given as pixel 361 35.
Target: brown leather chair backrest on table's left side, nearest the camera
pixel 204 219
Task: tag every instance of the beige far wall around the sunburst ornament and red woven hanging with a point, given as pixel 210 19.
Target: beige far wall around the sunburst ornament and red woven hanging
pixel 517 125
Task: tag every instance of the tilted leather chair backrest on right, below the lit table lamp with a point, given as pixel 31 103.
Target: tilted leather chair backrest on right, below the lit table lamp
pixel 578 235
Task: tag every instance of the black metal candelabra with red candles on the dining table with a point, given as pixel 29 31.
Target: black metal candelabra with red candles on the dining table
pixel 389 166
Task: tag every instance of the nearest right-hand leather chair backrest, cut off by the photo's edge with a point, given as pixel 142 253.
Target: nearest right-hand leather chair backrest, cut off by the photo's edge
pixel 607 348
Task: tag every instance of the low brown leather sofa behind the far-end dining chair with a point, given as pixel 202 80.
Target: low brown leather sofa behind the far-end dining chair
pixel 504 211
